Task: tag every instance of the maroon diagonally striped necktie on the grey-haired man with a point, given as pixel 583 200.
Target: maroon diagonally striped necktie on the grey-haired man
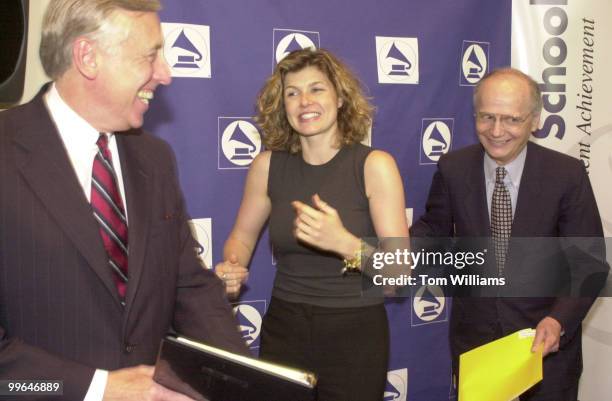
pixel 109 212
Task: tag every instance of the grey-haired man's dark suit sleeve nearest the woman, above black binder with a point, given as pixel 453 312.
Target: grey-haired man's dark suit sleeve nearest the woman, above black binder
pixel 201 308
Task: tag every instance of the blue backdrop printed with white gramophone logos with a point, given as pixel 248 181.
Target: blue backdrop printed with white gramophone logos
pixel 419 62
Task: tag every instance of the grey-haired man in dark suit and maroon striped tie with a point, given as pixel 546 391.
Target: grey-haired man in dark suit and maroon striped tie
pixel 97 262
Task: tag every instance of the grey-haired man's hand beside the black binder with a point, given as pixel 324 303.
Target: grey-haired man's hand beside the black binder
pixel 136 383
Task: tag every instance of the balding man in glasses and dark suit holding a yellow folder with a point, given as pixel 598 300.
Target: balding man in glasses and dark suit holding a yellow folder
pixel 507 188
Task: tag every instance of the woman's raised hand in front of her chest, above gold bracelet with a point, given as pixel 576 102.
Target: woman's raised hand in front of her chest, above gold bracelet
pixel 321 227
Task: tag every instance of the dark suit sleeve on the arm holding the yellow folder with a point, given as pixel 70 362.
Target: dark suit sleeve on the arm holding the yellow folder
pixel 580 221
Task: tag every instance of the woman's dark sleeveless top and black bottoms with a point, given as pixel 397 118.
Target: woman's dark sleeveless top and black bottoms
pixel 317 319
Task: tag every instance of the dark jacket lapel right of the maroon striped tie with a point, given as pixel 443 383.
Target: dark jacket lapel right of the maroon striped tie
pixel 138 192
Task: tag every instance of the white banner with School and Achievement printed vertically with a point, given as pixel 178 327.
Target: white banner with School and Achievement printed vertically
pixel 565 46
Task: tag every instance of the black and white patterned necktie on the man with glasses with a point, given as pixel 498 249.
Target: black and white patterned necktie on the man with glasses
pixel 501 218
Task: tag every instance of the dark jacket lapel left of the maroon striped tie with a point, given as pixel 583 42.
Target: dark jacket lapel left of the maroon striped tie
pixel 44 164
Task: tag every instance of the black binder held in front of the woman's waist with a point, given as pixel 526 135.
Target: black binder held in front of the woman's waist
pixel 205 373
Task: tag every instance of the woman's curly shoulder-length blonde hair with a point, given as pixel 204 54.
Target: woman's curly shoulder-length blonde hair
pixel 354 116
